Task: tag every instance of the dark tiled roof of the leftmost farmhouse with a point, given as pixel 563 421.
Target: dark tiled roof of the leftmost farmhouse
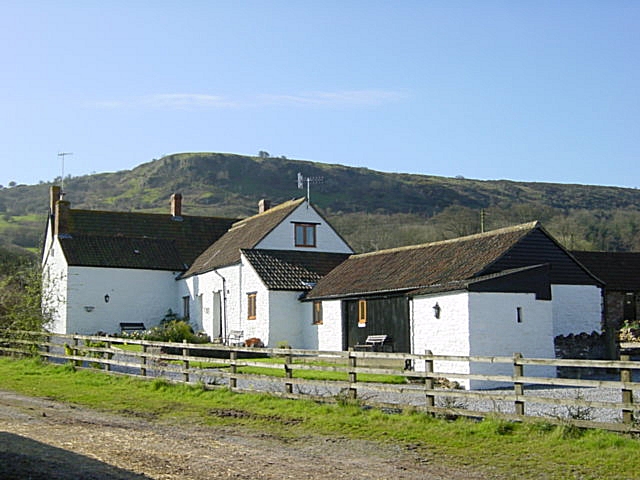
pixel 180 239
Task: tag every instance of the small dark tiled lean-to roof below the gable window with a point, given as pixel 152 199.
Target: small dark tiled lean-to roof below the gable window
pixel 292 269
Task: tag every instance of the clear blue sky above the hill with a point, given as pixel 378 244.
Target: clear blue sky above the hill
pixel 542 91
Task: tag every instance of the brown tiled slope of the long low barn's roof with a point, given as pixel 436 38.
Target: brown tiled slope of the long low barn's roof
pixel 416 267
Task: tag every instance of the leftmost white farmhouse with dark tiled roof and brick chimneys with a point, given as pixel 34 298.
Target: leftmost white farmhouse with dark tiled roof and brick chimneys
pixel 101 268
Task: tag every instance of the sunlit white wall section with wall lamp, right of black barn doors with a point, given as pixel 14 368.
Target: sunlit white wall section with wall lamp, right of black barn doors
pixel 447 335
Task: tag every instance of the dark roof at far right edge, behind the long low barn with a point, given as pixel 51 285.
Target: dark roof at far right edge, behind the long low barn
pixel 619 270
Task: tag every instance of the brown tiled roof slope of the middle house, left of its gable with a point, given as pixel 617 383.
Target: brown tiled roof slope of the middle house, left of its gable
pixel 243 234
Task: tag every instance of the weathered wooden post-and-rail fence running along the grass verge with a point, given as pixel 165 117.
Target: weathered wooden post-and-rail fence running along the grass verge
pixel 605 399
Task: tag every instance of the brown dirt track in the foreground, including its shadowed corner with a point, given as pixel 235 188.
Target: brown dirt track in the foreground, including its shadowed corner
pixel 43 439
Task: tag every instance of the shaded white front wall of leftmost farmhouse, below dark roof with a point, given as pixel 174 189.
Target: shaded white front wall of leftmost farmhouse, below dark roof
pixel 134 296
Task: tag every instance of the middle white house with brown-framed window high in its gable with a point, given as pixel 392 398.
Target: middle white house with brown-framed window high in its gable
pixel 251 279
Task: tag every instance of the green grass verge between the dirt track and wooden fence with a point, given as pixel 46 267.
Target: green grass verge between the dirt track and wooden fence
pixel 506 450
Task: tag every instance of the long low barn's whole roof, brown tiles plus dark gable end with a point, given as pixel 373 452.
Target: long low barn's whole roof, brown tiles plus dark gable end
pixel 450 262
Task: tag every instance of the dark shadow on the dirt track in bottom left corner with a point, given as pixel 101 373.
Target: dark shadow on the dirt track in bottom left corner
pixel 23 458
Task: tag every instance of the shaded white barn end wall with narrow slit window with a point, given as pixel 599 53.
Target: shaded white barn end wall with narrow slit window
pixel 495 331
